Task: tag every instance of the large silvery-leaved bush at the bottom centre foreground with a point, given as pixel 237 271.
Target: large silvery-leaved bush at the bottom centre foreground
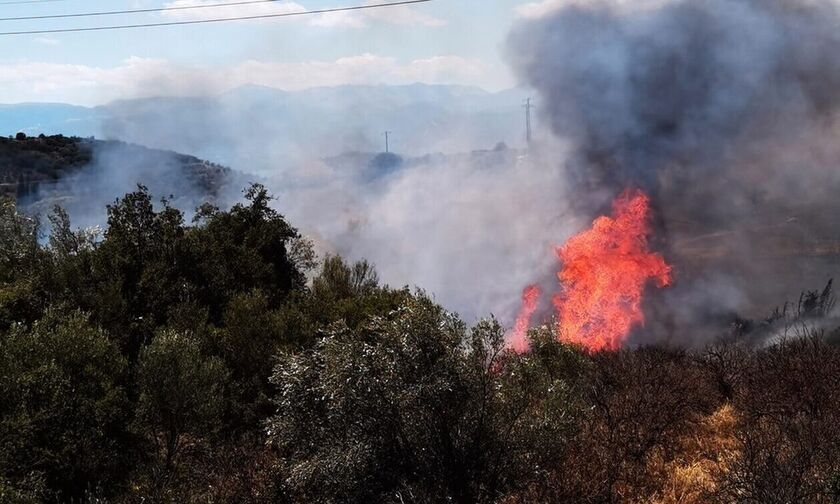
pixel 412 407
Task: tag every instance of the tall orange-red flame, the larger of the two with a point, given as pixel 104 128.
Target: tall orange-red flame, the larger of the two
pixel 604 272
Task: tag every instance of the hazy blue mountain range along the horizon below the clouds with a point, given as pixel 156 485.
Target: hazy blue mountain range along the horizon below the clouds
pixel 259 129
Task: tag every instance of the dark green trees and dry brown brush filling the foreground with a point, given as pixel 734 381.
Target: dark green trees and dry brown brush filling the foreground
pixel 216 361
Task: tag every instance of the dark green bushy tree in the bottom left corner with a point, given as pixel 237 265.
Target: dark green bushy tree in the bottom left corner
pixel 65 413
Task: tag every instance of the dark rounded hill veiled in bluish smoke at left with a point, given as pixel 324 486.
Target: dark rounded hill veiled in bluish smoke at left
pixel 83 175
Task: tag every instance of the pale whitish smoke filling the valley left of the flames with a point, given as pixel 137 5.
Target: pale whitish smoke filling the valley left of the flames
pixel 469 229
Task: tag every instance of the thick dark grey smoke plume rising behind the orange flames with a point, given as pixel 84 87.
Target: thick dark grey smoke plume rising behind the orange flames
pixel 726 111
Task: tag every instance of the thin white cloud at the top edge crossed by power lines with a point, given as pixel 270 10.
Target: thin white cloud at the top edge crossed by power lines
pixel 398 15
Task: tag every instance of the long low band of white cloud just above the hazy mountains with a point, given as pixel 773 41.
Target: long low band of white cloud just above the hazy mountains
pixel 143 77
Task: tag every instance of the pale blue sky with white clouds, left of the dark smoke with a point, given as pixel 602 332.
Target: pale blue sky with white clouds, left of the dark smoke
pixel 440 42
